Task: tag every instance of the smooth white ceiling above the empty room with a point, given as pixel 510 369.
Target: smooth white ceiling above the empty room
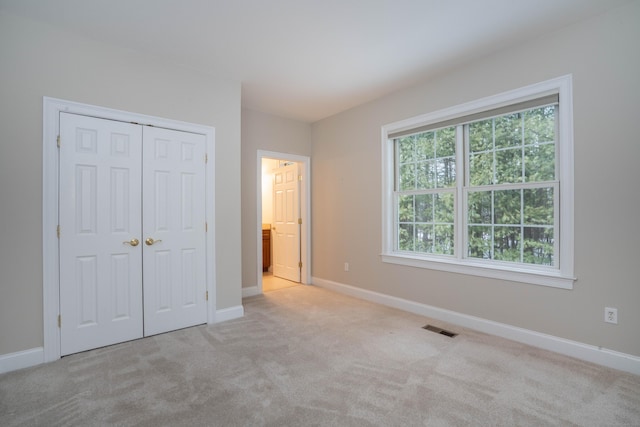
pixel 309 59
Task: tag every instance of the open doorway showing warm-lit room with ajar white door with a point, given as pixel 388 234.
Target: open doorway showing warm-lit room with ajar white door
pixel 283 217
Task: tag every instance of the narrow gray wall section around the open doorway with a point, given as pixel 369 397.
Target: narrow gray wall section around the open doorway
pixel 265 132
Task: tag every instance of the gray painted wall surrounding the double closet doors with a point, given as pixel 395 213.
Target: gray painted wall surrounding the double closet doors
pixel 36 61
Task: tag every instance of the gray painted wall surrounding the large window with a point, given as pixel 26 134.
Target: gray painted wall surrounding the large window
pixel 604 58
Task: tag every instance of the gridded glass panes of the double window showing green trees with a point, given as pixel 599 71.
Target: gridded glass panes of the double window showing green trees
pixel 509 189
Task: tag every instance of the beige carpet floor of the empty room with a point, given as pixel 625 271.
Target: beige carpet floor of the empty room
pixel 304 356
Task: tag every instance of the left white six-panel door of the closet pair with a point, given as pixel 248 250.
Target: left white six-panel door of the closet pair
pixel 100 225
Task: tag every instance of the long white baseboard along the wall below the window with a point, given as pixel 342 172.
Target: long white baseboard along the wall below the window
pixel 601 356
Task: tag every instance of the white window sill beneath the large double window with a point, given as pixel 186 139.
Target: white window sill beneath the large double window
pixel 496 271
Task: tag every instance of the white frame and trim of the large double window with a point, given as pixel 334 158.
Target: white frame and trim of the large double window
pixel 561 276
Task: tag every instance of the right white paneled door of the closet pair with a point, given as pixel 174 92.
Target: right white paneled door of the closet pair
pixel 173 230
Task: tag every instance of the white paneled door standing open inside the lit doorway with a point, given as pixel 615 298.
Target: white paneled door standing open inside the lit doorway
pixel 286 215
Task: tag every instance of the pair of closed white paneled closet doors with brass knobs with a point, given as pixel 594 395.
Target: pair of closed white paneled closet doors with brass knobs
pixel 132 231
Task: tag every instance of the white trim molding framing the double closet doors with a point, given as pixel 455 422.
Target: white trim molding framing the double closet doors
pixel 50 163
